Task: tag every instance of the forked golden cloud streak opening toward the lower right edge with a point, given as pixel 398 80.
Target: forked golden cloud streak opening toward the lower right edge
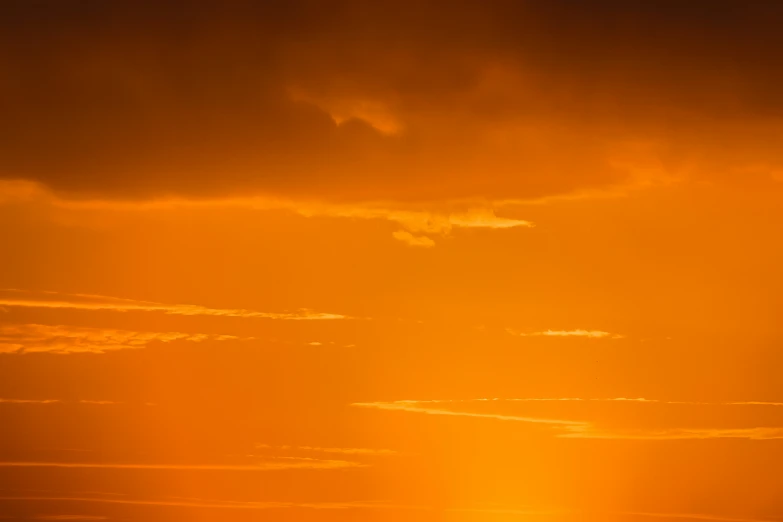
pixel 573 429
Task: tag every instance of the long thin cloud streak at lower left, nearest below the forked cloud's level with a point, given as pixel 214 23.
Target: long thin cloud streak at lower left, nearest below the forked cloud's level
pixel 271 464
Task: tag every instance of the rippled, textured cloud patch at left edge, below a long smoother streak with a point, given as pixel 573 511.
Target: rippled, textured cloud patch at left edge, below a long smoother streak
pixel 29 338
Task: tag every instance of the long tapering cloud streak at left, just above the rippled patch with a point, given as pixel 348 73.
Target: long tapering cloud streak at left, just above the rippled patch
pixel 28 299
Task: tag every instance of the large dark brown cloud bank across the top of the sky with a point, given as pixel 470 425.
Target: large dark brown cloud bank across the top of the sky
pixel 435 100
